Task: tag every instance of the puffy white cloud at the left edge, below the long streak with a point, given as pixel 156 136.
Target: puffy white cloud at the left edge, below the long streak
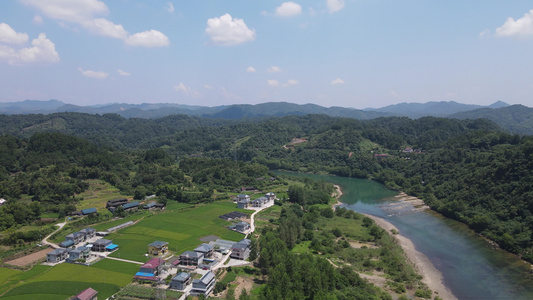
pixel 42 50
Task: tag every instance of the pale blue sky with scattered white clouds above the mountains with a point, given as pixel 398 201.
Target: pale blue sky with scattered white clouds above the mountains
pixel 350 53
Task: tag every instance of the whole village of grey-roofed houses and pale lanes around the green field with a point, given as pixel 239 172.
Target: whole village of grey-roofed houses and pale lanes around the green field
pixel 191 272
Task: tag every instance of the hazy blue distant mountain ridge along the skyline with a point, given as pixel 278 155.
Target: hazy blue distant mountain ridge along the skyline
pixel 514 118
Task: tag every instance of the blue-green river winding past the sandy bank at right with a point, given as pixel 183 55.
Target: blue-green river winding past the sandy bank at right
pixel 471 268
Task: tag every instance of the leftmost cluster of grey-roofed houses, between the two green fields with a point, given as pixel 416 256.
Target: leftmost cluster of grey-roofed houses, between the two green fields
pixel 68 253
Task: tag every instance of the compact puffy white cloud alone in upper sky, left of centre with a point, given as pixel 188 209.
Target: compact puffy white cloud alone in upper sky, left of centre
pixel 228 31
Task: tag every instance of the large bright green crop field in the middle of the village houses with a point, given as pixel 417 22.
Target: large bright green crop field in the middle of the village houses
pixel 181 228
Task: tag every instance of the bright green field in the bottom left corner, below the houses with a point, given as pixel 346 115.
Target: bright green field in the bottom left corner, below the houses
pixel 65 280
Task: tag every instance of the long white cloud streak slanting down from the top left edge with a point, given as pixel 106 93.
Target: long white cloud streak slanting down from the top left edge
pixel 84 13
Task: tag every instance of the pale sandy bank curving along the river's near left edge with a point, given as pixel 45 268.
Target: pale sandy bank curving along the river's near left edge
pixel 431 276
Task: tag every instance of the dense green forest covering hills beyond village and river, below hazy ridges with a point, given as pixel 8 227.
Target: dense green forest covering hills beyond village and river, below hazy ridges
pixel 468 170
